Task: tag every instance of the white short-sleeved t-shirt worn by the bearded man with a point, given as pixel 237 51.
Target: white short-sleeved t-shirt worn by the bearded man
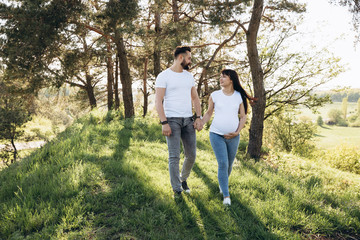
pixel 177 99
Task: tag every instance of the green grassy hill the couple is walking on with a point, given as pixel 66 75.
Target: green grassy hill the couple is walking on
pixel 106 178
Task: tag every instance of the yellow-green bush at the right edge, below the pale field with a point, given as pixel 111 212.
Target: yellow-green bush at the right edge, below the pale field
pixel 344 157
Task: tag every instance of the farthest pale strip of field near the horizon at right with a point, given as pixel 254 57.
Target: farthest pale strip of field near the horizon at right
pixel 323 112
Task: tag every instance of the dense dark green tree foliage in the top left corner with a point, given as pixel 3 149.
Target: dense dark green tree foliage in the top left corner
pixel 31 38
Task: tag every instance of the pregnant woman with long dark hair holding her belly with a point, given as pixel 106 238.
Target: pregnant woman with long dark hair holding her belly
pixel 225 127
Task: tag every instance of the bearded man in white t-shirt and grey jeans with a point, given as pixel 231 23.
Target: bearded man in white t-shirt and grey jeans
pixel 174 94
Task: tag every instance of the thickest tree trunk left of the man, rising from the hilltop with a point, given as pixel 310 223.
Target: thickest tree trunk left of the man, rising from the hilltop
pixel 125 78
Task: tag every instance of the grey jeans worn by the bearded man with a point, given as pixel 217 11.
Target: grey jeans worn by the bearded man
pixel 182 129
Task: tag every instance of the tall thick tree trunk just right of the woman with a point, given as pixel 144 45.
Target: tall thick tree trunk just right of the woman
pixel 257 121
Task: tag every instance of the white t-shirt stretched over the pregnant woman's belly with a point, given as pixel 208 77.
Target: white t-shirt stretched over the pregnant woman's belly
pixel 226 118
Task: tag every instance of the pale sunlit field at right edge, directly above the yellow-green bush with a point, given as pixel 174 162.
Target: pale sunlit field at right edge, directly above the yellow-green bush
pixel 332 136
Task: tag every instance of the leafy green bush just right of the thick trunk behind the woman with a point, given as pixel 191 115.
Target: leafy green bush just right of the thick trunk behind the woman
pixel 286 134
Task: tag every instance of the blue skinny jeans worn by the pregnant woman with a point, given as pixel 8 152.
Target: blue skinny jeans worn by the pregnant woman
pixel 225 152
